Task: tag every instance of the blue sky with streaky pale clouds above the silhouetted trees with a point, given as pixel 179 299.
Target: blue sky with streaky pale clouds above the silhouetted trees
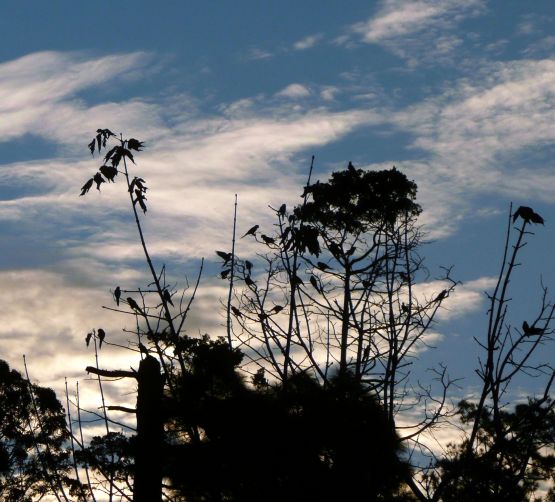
pixel 234 98
